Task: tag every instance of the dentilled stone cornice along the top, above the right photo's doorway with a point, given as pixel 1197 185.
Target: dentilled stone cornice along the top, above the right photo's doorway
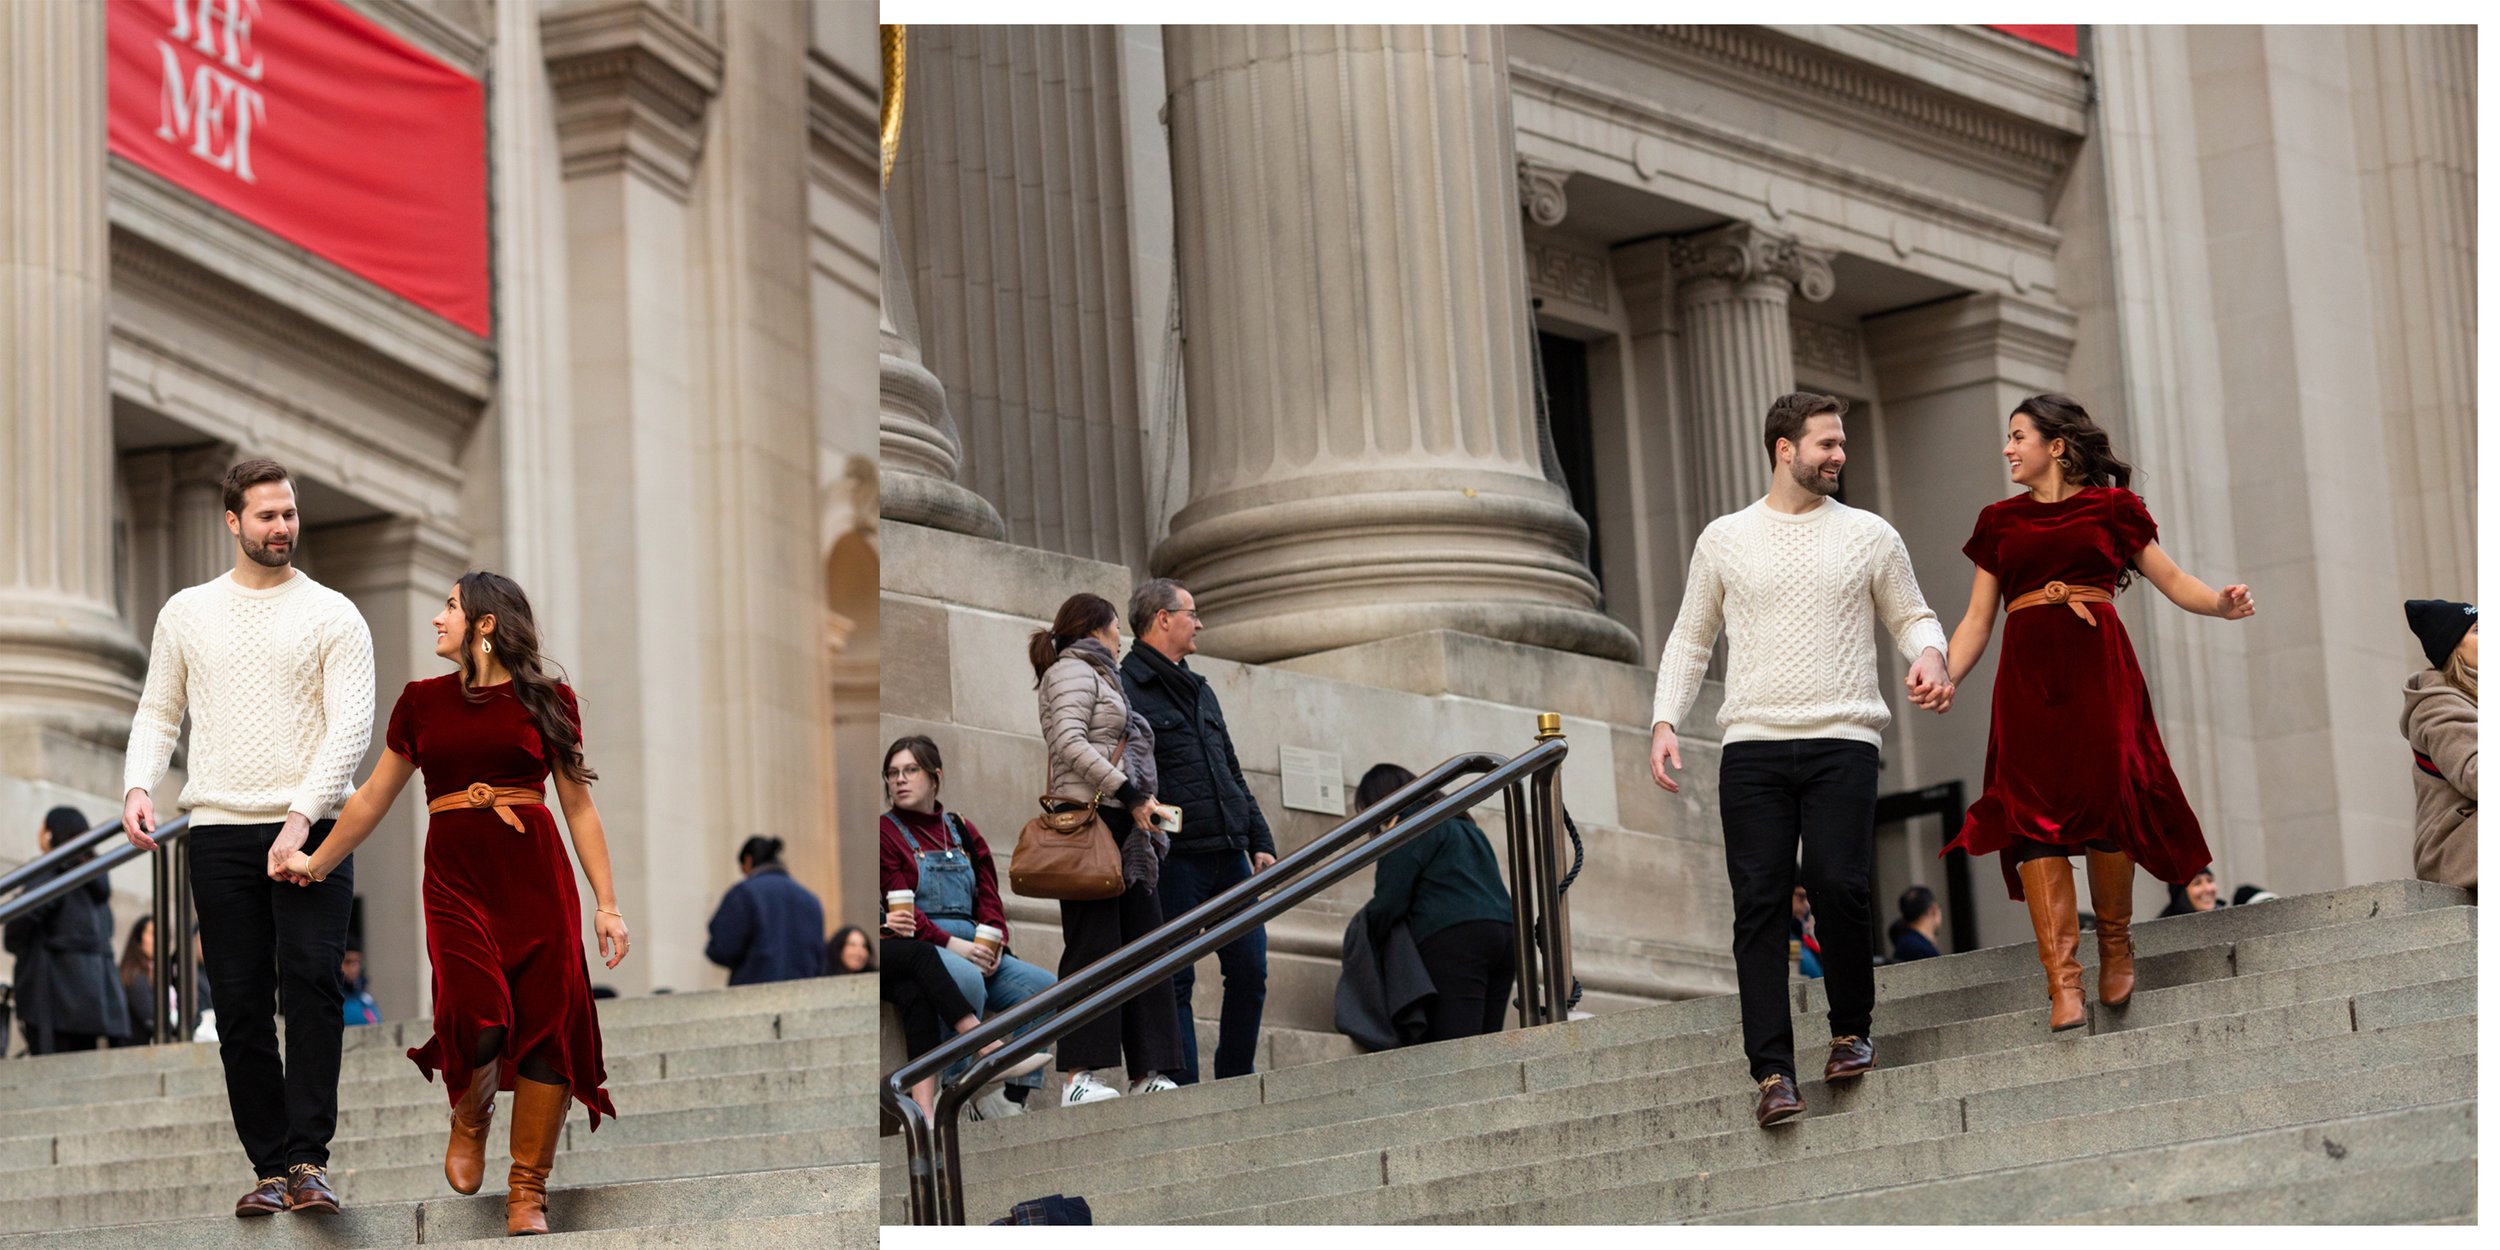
pixel 1851 89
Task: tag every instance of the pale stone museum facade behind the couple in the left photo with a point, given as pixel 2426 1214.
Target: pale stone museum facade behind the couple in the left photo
pixel 666 439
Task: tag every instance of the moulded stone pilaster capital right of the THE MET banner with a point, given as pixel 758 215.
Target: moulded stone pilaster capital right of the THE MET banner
pixel 631 84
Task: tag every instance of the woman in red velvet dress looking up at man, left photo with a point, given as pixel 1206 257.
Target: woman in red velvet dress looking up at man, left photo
pixel 501 909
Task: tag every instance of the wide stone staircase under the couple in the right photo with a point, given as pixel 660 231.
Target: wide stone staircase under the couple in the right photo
pixel 2299 1061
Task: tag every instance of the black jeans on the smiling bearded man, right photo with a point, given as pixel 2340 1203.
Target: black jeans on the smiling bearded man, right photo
pixel 1776 796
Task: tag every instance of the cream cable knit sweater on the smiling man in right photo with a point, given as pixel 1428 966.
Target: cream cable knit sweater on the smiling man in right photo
pixel 1799 596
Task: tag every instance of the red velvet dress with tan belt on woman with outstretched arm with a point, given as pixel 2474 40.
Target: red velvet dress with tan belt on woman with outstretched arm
pixel 2074 754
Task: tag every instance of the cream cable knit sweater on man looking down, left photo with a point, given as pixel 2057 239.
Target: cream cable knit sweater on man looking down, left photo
pixel 279 686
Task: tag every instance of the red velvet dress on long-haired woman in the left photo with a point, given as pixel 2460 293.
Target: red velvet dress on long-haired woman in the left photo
pixel 504 921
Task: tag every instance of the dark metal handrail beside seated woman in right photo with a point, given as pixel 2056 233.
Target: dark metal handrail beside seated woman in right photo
pixel 1541 934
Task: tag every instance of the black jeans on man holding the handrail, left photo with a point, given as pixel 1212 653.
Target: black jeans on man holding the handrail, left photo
pixel 274 949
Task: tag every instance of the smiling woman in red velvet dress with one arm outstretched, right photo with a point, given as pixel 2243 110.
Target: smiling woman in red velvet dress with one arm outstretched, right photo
pixel 2074 754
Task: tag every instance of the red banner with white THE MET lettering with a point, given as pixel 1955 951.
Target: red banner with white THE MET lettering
pixel 319 126
